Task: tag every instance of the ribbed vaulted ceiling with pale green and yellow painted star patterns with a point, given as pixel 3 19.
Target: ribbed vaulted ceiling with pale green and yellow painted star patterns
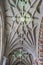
pixel 22 19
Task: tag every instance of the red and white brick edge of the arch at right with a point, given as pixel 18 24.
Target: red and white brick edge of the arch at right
pixel 41 43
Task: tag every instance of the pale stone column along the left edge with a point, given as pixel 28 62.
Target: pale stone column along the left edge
pixel 1 33
